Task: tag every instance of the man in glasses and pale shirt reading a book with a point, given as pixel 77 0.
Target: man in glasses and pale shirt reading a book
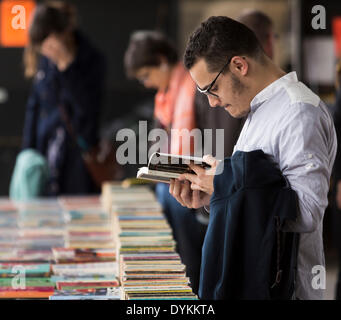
pixel 285 120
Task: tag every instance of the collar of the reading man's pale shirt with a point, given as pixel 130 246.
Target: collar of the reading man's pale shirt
pixel 271 89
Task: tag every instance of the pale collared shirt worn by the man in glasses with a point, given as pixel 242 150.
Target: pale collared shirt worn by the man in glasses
pixel 293 126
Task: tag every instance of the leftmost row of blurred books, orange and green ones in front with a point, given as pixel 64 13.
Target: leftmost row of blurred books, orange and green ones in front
pixel 28 232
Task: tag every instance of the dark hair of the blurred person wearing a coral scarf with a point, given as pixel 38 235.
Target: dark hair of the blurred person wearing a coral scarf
pixel 145 49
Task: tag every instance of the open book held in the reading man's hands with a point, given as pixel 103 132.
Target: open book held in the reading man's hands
pixel 163 167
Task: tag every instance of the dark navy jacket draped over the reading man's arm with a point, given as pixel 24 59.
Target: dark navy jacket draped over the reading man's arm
pixel 241 247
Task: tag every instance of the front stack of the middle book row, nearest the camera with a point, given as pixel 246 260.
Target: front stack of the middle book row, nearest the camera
pixel 85 274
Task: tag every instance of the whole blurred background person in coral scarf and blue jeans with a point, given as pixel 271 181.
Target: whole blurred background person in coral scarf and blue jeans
pixel 152 59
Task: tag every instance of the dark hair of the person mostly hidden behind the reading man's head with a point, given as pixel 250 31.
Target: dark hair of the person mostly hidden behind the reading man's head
pixel 258 22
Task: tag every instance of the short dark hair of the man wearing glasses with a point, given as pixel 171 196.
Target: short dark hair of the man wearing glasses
pixel 218 39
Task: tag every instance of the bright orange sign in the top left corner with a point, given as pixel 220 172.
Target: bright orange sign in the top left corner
pixel 14 22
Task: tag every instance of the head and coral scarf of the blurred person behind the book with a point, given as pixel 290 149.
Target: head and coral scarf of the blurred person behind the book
pixel 152 59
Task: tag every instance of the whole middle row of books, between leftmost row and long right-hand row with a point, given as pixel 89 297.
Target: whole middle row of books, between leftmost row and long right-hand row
pixel 87 269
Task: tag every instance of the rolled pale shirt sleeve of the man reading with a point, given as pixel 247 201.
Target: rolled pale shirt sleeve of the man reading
pixel 307 147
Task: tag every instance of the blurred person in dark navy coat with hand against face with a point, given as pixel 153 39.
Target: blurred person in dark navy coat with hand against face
pixel 63 109
